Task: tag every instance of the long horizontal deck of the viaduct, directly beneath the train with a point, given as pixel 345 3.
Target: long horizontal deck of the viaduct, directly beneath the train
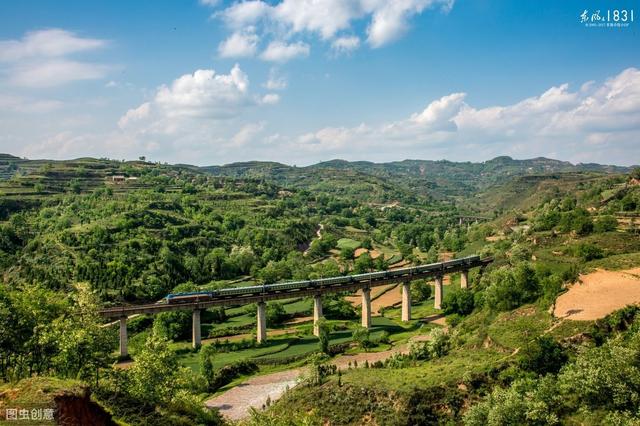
pixel 267 293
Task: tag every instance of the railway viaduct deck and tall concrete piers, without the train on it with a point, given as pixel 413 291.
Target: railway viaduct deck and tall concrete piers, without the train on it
pixel 264 293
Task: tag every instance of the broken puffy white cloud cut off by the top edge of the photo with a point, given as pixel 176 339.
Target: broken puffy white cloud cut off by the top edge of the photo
pixel 386 21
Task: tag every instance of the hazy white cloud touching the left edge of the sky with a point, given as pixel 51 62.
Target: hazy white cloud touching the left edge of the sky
pixel 41 59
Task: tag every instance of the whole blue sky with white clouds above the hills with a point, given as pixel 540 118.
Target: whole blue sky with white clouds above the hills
pixel 301 81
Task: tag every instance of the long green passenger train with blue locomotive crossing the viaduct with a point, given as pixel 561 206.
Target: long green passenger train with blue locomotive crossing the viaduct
pixel 227 293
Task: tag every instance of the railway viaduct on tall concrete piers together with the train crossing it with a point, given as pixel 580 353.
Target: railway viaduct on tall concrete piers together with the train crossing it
pixel 315 288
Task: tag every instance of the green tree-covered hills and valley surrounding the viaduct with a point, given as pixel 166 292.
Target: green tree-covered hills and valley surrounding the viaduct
pixel 82 234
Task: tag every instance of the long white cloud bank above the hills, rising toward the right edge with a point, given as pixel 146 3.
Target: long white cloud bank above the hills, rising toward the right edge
pixel 595 123
